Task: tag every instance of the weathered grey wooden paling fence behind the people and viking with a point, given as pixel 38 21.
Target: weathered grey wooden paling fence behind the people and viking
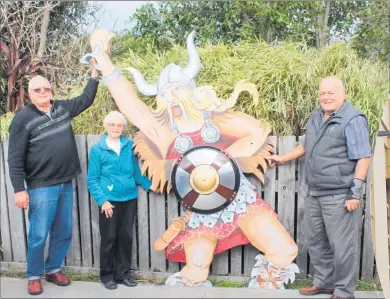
pixel 284 190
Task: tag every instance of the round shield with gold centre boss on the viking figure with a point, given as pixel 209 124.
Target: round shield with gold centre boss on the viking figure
pixel 205 179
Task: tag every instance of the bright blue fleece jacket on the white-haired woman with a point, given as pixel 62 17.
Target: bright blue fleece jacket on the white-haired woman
pixel 112 177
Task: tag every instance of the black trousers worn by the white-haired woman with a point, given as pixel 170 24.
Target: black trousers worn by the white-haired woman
pixel 117 240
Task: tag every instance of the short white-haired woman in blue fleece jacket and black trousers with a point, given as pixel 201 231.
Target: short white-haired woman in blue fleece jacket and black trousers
pixel 113 176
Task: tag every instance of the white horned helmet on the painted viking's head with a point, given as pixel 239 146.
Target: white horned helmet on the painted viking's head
pixel 172 74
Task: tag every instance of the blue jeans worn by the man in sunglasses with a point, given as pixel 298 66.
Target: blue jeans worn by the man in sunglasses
pixel 50 209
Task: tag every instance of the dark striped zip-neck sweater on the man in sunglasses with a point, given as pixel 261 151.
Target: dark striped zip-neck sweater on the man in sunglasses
pixel 42 149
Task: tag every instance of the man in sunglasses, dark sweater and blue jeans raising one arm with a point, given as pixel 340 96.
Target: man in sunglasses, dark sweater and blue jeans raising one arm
pixel 43 154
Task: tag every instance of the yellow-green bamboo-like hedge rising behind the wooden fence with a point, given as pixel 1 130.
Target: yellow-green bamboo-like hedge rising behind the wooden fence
pixel 287 77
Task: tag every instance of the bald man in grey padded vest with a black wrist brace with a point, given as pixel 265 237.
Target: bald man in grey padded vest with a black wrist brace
pixel 337 156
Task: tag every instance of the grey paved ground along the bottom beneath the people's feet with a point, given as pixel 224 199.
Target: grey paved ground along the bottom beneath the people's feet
pixel 17 288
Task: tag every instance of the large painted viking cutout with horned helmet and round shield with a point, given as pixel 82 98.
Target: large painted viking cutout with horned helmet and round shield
pixel 196 145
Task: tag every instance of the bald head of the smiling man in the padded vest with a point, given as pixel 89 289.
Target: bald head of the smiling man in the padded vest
pixel 331 94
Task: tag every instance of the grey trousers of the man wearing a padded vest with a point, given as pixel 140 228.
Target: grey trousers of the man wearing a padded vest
pixel 332 239
